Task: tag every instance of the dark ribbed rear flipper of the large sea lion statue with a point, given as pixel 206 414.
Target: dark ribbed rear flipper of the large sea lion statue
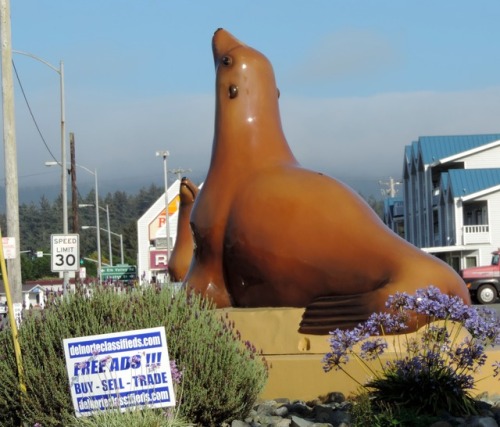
pixel 325 314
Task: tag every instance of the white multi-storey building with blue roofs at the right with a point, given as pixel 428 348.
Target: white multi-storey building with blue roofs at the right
pixel 452 197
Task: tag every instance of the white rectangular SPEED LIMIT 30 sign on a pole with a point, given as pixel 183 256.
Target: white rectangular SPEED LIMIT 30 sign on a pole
pixel 65 252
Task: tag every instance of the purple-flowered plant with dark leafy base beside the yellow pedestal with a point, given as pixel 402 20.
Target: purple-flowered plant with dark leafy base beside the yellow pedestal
pixel 431 371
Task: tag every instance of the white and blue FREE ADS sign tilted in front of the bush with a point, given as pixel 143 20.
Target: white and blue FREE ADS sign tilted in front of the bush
pixel 119 371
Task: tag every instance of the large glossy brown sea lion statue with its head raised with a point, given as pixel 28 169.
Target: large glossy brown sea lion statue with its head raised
pixel 269 233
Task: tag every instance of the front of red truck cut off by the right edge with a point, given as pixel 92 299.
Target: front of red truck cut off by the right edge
pixel 484 282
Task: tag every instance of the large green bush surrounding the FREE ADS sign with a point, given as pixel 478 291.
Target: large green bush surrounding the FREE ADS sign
pixel 221 376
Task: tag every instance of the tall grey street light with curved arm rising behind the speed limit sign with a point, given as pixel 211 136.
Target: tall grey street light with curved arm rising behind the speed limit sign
pixel 64 182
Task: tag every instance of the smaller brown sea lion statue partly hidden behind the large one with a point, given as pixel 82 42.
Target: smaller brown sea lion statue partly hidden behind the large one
pixel 180 259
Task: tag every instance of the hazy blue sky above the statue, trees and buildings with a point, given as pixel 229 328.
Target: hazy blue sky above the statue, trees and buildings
pixel 359 80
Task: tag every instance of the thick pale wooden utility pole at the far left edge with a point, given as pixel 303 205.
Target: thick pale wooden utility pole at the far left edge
pixel 9 139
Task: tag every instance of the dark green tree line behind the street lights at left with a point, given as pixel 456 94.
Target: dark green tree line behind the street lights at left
pixel 38 221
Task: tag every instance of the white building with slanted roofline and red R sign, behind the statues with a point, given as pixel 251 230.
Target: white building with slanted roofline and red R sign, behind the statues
pixel 152 235
